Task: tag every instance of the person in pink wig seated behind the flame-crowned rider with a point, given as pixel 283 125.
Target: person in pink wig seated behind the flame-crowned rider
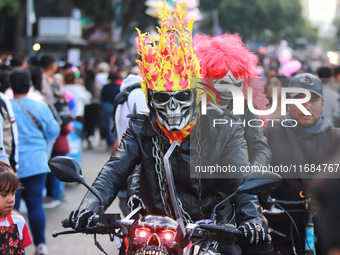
pixel 225 60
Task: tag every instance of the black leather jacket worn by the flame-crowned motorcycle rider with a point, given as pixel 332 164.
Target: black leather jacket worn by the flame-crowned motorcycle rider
pixel 222 144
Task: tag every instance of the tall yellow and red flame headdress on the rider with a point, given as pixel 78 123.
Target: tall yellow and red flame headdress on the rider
pixel 170 63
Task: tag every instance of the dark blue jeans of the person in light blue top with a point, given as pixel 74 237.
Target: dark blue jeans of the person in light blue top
pixel 32 193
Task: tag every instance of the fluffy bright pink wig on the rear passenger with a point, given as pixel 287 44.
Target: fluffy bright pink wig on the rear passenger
pixel 219 54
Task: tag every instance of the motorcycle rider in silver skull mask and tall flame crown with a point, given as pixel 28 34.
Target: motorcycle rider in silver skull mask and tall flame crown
pixel 168 70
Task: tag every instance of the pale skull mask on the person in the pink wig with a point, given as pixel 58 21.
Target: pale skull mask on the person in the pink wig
pixel 229 79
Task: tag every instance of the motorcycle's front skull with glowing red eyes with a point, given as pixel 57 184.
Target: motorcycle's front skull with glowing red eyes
pixel 155 235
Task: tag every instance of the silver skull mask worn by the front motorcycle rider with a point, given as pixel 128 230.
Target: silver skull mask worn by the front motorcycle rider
pixel 174 110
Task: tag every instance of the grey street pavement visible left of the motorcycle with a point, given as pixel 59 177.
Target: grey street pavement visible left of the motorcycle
pixel 75 244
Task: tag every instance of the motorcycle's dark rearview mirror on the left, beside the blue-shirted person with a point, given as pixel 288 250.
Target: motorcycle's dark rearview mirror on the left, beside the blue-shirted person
pixel 66 169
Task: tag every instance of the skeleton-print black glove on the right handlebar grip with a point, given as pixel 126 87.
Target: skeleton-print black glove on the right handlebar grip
pixel 254 233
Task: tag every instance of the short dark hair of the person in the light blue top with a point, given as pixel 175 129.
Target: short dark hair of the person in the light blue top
pixel 20 80
